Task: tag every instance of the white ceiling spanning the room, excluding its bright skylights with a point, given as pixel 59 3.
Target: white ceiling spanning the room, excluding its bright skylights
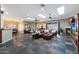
pixel 23 11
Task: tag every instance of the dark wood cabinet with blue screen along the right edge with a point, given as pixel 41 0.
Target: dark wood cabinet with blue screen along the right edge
pixel 75 31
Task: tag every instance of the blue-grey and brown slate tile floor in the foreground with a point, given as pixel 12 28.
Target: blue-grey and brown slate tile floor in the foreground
pixel 57 45
